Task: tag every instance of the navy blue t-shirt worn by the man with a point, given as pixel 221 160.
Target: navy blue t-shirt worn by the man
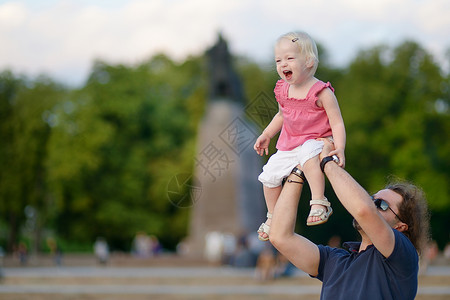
pixel 369 275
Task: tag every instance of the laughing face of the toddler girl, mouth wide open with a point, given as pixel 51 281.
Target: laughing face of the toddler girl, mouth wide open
pixel 291 64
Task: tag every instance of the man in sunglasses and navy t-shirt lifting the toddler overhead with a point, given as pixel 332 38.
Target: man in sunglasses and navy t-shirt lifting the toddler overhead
pixel 393 225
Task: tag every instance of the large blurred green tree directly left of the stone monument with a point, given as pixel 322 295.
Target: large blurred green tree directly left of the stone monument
pixel 130 130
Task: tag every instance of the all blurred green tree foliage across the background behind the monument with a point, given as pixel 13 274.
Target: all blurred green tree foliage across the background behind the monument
pixel 96 161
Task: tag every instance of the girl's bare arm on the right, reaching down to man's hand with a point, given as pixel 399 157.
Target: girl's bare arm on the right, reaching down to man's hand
pixel 328 101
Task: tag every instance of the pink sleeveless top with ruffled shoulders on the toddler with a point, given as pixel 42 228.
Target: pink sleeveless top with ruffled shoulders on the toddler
pixel 302 118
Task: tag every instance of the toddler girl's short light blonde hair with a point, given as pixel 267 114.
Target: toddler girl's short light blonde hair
pixel 306 46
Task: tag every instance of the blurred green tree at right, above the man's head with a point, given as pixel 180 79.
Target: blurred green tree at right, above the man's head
pixel 390 100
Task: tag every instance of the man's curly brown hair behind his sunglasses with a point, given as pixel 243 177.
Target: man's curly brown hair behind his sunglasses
pixel 413 210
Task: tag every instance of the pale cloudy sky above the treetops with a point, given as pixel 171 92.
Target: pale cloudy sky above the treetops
pixel 63 38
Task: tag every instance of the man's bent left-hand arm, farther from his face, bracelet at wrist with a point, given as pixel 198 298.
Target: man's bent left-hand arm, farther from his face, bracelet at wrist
pixel 297 249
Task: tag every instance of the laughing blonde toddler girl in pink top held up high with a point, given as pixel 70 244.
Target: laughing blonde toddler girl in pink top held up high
pixel 308 110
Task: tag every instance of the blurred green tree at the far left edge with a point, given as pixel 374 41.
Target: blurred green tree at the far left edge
pixel 25 130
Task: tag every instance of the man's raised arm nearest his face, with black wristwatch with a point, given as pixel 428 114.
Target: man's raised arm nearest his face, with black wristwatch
pixel 359 204
